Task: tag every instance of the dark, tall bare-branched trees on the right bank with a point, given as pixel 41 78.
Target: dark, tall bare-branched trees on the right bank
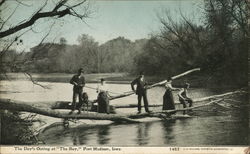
pixel 219 46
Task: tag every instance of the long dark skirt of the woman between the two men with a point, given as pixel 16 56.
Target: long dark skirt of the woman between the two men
pixel 103 103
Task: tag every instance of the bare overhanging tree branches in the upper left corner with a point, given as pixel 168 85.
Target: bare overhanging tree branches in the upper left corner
pixel 10 35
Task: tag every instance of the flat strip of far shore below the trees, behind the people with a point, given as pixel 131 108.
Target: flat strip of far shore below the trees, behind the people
pixel 115 78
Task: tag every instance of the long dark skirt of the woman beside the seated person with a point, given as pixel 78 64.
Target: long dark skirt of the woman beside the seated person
pixel 168 100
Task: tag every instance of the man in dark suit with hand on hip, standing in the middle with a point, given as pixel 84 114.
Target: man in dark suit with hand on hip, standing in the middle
pixel 140 91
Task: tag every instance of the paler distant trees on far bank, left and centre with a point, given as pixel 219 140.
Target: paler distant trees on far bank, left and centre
pixel 113 56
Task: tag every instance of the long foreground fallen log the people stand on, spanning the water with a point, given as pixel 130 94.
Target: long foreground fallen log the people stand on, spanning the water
pixel 131 117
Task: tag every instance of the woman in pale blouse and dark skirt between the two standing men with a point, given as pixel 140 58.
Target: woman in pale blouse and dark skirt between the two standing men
pixel 103 98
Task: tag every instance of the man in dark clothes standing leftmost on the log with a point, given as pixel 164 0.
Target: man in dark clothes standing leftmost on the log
pixel 78 81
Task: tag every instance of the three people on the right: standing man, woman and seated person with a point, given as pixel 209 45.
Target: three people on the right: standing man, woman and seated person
pixel 168 99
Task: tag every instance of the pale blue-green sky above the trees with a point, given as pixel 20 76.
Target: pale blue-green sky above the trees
pixel 109 19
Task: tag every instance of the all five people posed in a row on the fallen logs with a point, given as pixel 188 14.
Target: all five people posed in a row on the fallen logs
pixel 78 82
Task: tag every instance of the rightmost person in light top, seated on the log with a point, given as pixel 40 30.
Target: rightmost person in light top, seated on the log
pixel 183 97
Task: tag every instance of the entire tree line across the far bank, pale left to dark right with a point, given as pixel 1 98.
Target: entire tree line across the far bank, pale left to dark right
pixel 218 45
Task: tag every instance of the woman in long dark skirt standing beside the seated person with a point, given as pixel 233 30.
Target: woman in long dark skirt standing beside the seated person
pixel 168 99
